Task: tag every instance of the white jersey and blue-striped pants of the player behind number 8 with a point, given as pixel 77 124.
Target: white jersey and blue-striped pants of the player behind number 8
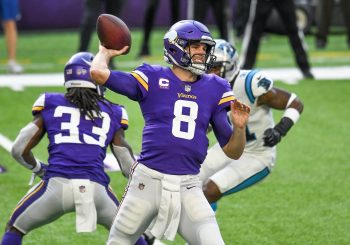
pixel 257 160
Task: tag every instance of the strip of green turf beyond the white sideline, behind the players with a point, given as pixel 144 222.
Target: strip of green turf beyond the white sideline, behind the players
pixel 48 51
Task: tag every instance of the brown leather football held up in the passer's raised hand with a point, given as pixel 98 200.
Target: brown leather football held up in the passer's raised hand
pixel 112 32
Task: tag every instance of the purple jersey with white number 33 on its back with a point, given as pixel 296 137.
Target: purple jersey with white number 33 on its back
pixel 77 145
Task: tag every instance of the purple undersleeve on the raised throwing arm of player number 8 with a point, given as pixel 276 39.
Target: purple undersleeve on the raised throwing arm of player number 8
pixel 124 83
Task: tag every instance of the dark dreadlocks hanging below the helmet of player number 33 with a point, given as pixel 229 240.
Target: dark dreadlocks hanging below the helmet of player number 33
pixel 86 99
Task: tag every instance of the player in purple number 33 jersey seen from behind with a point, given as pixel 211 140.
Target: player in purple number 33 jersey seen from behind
pixel 80 124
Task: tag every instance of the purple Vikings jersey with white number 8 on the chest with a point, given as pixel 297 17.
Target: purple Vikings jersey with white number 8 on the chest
pixel 177 115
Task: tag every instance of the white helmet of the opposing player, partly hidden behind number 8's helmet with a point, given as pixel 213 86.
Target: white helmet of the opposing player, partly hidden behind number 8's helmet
pixel 226 59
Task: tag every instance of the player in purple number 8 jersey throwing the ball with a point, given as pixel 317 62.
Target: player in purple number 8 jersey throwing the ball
pixel 177 103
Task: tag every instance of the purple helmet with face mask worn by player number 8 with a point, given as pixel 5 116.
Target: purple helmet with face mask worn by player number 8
pixel 181 35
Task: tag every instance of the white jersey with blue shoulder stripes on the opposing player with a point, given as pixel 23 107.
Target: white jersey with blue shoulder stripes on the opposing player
pixel 248 86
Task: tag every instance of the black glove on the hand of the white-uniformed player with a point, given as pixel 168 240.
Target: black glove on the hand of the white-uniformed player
pixel 272 136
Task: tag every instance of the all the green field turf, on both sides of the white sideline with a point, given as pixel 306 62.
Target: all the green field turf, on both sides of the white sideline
pixel 304 201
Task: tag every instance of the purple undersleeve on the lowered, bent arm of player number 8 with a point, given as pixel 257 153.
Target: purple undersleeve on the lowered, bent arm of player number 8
pixel 221 127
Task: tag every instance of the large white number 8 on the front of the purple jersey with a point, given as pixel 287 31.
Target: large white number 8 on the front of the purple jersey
pixel 181 118
